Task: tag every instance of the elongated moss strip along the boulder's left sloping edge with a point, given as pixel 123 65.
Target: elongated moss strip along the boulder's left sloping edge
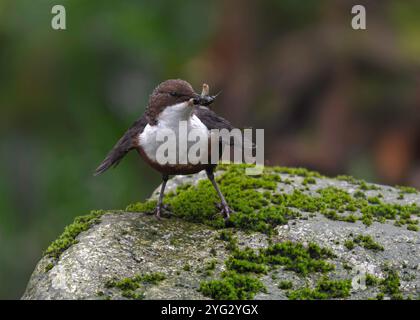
pixel 68 237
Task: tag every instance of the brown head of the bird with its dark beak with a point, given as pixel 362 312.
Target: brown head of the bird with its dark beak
pixel 172 92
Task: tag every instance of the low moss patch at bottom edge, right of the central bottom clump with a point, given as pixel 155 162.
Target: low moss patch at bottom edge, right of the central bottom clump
pixel 325 289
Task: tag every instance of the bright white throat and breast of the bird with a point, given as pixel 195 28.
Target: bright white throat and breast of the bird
pixel 170 119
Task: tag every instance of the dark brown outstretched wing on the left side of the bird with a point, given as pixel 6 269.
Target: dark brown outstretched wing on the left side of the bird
pixel 127 142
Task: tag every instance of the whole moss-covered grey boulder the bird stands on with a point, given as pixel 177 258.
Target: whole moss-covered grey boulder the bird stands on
pixel 290 226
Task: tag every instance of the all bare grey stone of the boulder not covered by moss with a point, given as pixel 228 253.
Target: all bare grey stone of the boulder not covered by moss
pixel 125 244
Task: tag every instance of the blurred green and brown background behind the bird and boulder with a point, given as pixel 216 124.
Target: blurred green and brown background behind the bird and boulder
pixel 329 98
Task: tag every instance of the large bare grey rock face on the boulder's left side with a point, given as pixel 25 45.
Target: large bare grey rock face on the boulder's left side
pixel 123 245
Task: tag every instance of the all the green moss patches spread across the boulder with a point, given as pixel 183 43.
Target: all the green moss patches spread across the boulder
pixel 260 207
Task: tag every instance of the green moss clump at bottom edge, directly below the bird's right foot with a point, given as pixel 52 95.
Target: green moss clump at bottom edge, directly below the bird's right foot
pixel 232 286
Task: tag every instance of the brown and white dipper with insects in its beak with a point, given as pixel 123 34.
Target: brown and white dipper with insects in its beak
pixel 172 101
